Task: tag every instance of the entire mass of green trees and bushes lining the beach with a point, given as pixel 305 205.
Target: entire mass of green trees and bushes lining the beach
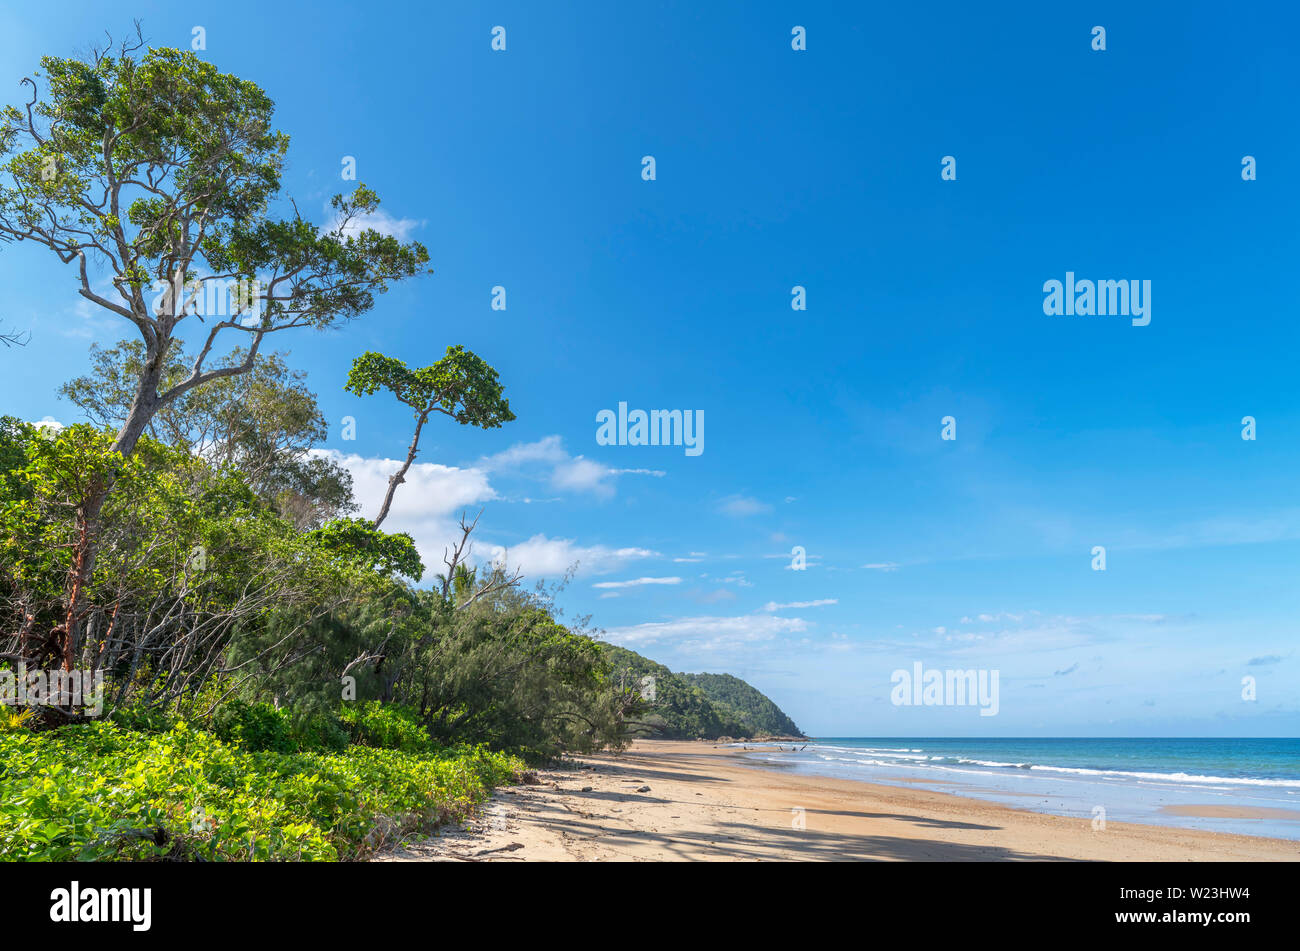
pixel 279 684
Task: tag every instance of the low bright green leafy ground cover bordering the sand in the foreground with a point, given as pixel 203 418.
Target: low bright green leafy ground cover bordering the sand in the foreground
pixel 99 793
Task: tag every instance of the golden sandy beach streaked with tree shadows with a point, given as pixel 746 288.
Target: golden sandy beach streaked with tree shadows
pixel 665 801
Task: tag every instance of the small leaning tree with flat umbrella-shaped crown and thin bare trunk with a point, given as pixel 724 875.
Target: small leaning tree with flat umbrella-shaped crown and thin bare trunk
pixel 461 385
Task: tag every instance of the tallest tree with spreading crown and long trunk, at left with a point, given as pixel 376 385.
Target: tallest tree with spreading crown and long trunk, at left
pixel 164 170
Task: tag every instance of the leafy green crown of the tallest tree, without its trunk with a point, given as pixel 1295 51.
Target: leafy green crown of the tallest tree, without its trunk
pixel 206 141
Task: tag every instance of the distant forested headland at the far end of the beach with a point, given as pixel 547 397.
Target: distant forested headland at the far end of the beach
pixel 699 706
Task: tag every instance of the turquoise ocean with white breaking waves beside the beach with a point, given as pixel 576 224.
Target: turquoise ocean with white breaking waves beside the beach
pixel 1247 787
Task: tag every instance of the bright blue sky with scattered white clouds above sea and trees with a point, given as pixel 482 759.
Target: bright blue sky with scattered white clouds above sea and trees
pixel 925 299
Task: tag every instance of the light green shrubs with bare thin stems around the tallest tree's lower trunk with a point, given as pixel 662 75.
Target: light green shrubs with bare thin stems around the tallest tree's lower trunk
pixel 179 539
